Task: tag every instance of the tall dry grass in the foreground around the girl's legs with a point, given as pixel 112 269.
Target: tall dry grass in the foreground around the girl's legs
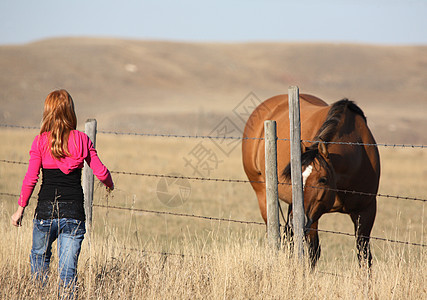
pixel 235 267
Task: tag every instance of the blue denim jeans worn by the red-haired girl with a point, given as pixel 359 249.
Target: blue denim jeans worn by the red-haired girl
pixel 70 234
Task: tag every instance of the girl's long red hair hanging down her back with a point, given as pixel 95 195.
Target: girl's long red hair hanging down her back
pixel 59 118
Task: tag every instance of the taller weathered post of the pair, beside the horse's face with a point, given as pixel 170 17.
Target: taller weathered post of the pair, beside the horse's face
pixel 296 176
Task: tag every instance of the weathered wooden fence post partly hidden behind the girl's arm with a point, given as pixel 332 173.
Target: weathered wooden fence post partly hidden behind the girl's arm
pixel 88 180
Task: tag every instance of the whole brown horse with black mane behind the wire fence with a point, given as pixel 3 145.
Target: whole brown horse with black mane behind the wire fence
pixel 332 163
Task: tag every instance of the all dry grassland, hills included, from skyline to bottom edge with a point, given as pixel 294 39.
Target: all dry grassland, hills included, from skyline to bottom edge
pixel 190 88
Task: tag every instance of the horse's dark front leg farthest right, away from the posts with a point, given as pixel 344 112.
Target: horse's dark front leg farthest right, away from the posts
pixel 363 222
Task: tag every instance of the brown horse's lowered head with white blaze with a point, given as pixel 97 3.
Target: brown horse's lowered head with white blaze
pixel 319 182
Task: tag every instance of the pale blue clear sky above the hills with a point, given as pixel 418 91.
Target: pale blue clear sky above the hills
pixel 352 21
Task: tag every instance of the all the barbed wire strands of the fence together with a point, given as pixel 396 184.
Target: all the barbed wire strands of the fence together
pixel 225 180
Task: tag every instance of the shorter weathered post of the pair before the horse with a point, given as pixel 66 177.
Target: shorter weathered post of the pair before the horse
pixel 273 231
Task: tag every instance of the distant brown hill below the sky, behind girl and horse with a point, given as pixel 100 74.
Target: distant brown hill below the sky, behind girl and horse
pixel 173 87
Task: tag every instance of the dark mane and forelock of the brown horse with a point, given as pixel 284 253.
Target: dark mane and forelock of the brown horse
pixel 325 134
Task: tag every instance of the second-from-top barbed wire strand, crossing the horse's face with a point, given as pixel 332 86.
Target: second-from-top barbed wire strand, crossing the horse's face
pixel 244 181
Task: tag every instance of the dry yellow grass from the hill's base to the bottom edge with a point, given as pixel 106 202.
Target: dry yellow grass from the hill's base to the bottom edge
pixel 211 259
